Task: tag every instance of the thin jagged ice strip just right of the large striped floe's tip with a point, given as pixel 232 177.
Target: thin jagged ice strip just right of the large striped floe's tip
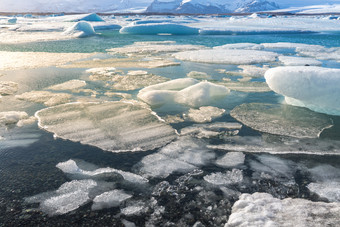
pixel 217 129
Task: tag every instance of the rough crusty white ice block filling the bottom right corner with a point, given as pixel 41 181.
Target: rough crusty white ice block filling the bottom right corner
pixel 262 209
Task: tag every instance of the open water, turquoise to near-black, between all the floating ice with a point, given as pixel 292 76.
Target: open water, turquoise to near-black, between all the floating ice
pixel 30 169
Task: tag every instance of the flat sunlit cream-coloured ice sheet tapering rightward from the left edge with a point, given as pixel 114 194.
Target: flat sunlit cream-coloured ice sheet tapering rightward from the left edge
pixel 30 60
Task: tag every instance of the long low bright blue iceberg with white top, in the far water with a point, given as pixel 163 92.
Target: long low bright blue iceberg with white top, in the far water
pixel 154 29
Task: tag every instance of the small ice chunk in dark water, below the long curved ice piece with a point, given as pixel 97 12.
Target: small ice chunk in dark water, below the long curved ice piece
pixel 109 199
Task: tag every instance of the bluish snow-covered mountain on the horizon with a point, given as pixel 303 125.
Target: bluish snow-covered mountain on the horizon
pixel 210 6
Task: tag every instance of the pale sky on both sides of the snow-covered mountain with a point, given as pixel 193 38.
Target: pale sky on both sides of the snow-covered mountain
pixel 111 5
